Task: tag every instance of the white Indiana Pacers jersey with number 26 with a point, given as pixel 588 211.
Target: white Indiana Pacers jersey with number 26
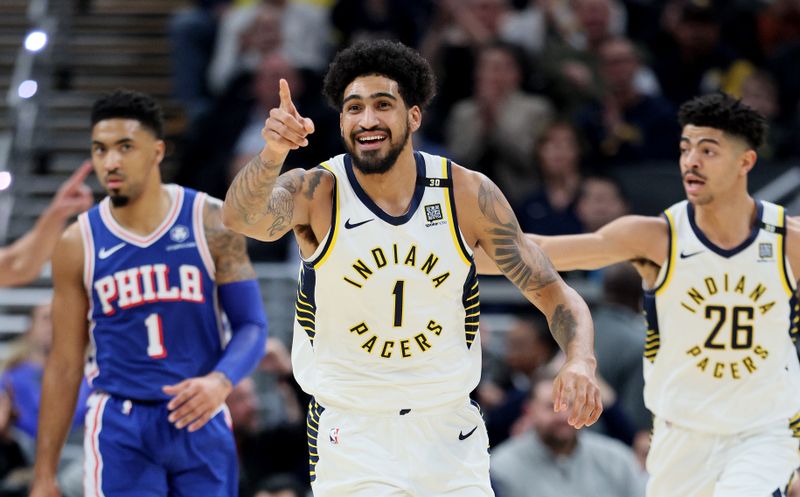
pixel 719 355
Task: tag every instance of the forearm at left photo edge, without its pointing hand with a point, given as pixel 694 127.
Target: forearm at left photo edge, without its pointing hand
pixel 22 261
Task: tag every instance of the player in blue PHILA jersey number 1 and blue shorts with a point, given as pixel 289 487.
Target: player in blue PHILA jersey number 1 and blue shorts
pixel 143 284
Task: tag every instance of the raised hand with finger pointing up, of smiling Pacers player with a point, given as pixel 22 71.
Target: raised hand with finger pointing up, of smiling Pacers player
pixel 285 129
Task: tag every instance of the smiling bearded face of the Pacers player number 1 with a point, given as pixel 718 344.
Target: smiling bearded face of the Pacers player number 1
pixel 375 123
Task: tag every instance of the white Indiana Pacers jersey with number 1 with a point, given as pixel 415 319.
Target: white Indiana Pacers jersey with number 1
pixel 387 307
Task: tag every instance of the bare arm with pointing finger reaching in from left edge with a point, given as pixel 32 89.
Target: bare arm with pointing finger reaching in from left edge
pixel 22 261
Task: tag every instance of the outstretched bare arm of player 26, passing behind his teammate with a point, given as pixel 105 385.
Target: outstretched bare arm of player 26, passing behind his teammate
pixel 628 238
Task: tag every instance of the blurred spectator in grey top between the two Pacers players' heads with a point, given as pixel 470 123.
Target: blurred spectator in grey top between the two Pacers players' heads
pixel 495 130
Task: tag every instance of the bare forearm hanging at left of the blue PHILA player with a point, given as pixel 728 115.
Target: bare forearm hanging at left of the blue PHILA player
pixel 59 395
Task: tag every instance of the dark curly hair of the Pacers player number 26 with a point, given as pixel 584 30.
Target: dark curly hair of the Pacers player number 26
pixel 722 111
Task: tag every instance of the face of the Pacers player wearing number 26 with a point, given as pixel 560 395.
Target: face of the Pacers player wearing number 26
pixel 713 163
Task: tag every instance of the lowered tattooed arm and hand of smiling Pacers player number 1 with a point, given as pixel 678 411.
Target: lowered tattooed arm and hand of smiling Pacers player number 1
pixel 491 225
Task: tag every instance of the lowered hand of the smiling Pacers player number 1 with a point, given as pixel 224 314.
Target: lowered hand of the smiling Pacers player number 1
pixel 576 387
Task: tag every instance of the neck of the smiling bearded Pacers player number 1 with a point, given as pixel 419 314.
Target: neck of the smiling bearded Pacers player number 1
pixel 392 191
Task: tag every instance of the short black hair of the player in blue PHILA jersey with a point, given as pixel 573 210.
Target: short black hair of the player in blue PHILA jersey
pixel 130 104
